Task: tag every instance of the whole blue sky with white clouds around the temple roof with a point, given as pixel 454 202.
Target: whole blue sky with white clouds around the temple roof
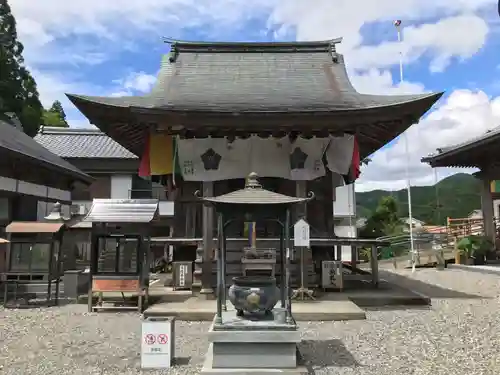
pixel 114 48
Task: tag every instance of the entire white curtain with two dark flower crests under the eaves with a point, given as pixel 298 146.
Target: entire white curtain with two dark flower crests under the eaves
pixel 215 159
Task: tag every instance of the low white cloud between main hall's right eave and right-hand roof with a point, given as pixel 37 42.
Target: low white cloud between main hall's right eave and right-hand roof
pixel 464 115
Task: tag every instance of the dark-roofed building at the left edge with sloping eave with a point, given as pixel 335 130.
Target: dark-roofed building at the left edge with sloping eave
pixel 31 177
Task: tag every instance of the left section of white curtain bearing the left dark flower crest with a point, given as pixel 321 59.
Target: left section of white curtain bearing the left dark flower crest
pixel 213 159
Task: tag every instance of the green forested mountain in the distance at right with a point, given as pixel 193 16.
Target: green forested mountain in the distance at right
pixel 455 196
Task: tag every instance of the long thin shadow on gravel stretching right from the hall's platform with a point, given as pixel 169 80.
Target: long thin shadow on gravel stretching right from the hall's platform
pixel 428 290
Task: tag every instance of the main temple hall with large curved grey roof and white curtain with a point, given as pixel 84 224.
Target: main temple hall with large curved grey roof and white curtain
pixel 286 111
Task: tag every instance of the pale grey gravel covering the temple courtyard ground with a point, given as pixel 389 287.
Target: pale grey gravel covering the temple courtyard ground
pixel 459 334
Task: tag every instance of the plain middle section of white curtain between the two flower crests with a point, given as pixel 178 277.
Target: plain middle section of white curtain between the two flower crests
pixel 269 157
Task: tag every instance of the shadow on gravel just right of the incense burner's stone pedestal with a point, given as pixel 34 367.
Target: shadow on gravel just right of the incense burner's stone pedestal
pixel 318 354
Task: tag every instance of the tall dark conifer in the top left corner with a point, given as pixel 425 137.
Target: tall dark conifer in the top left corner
pixel 18 91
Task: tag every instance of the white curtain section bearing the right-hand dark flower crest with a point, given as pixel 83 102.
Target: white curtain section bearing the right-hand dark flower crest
pixel 306 158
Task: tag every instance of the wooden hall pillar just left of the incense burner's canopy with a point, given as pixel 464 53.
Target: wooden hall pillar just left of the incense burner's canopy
pixel 208 242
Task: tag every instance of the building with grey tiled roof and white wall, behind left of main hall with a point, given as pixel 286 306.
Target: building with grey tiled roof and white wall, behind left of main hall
pixel 114 173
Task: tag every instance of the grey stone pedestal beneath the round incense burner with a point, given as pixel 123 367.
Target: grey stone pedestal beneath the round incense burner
pixel 242 346
